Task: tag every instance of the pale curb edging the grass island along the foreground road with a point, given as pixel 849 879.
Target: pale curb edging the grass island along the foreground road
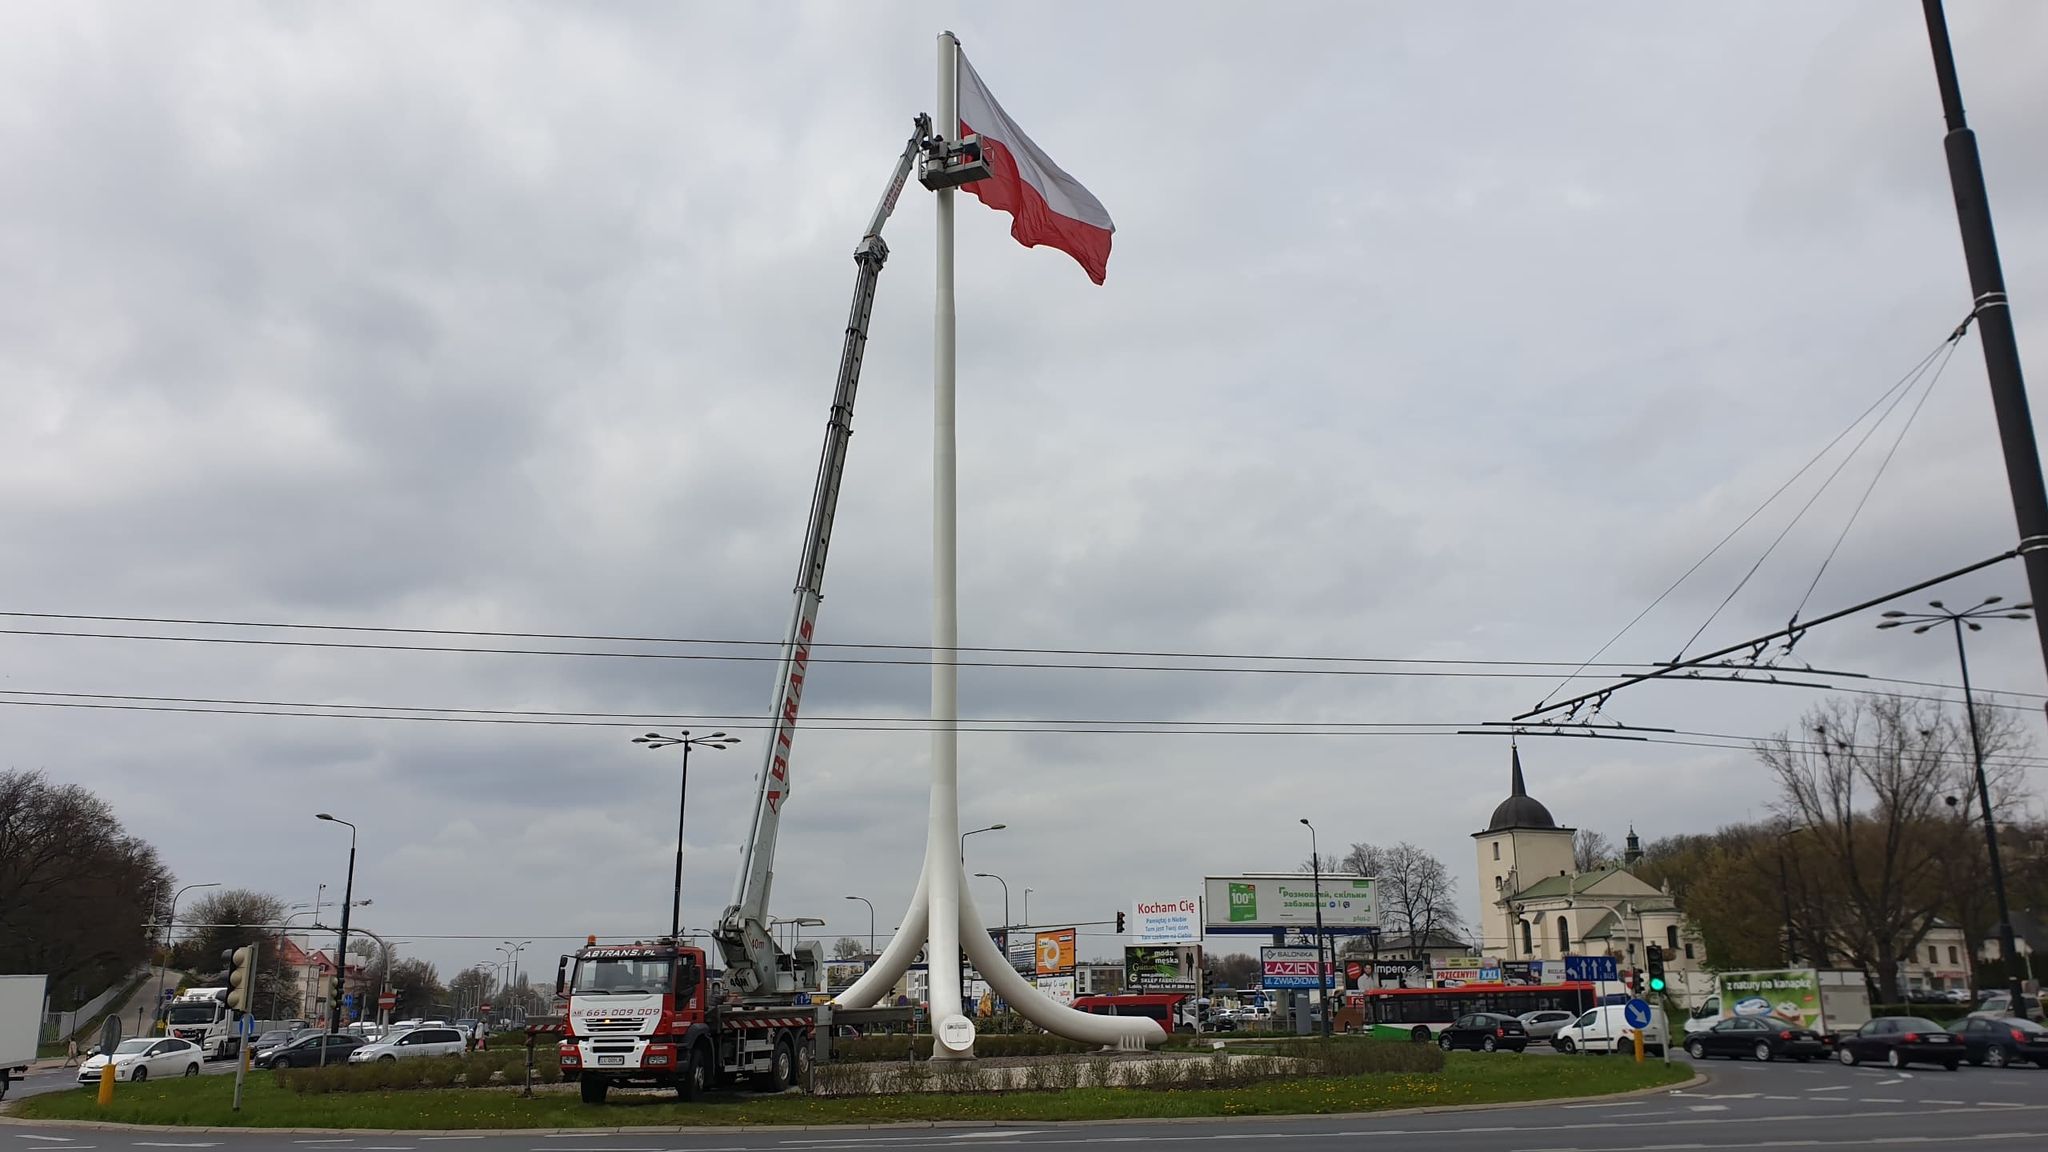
pixel 898 1126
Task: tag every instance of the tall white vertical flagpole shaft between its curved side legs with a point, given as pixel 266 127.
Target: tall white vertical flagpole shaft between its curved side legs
pixel 955 1034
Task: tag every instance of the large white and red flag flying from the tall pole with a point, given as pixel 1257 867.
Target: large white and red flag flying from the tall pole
pixel 1048 206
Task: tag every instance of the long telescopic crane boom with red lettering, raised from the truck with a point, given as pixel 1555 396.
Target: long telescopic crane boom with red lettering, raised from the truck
pixel 753 960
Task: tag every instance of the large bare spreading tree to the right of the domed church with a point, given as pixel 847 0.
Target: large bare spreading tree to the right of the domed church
pixel 1867 788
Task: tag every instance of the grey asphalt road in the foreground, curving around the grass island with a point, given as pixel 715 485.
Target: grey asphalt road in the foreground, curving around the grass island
pixel 1744 1106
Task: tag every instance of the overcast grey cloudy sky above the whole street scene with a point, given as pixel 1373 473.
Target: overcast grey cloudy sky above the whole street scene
pixel 1433 331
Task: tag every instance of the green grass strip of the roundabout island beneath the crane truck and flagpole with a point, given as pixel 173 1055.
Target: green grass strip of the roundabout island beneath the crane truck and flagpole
pixel 1469 1079
